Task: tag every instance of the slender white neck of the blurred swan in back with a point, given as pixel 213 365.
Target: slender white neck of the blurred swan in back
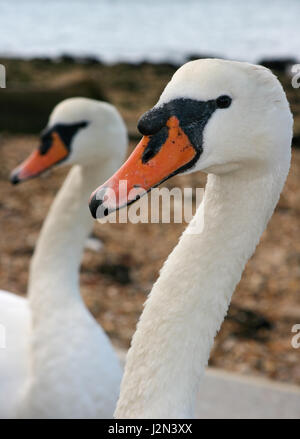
pixel 54 271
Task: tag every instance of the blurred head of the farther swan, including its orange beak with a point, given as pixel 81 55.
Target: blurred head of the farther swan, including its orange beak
pixel 79 131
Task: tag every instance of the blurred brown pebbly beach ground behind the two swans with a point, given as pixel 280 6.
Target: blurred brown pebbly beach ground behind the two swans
pixel 255 337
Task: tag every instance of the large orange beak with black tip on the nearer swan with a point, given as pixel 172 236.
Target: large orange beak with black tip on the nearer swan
pixel 138 175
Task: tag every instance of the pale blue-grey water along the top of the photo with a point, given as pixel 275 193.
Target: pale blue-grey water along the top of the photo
pixel 157 30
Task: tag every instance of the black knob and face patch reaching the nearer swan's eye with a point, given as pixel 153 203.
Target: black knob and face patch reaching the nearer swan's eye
pixel 192 115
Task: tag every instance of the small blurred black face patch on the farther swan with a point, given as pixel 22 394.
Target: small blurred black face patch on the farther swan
pixel 65 131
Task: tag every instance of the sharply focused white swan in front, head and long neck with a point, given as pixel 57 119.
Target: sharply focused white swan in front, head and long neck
pixel 232 121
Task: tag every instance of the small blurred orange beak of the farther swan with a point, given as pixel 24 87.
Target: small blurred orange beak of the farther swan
pixel 39 162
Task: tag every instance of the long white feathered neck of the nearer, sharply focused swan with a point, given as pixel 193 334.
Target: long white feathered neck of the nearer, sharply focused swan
pixel 188 303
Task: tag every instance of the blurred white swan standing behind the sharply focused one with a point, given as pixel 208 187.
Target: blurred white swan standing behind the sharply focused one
pixel 71 369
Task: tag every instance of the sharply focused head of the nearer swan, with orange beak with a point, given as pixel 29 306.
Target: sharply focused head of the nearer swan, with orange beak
pixel 214 115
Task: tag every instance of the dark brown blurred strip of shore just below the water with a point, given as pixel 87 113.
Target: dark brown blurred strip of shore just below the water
pixel 35 86
